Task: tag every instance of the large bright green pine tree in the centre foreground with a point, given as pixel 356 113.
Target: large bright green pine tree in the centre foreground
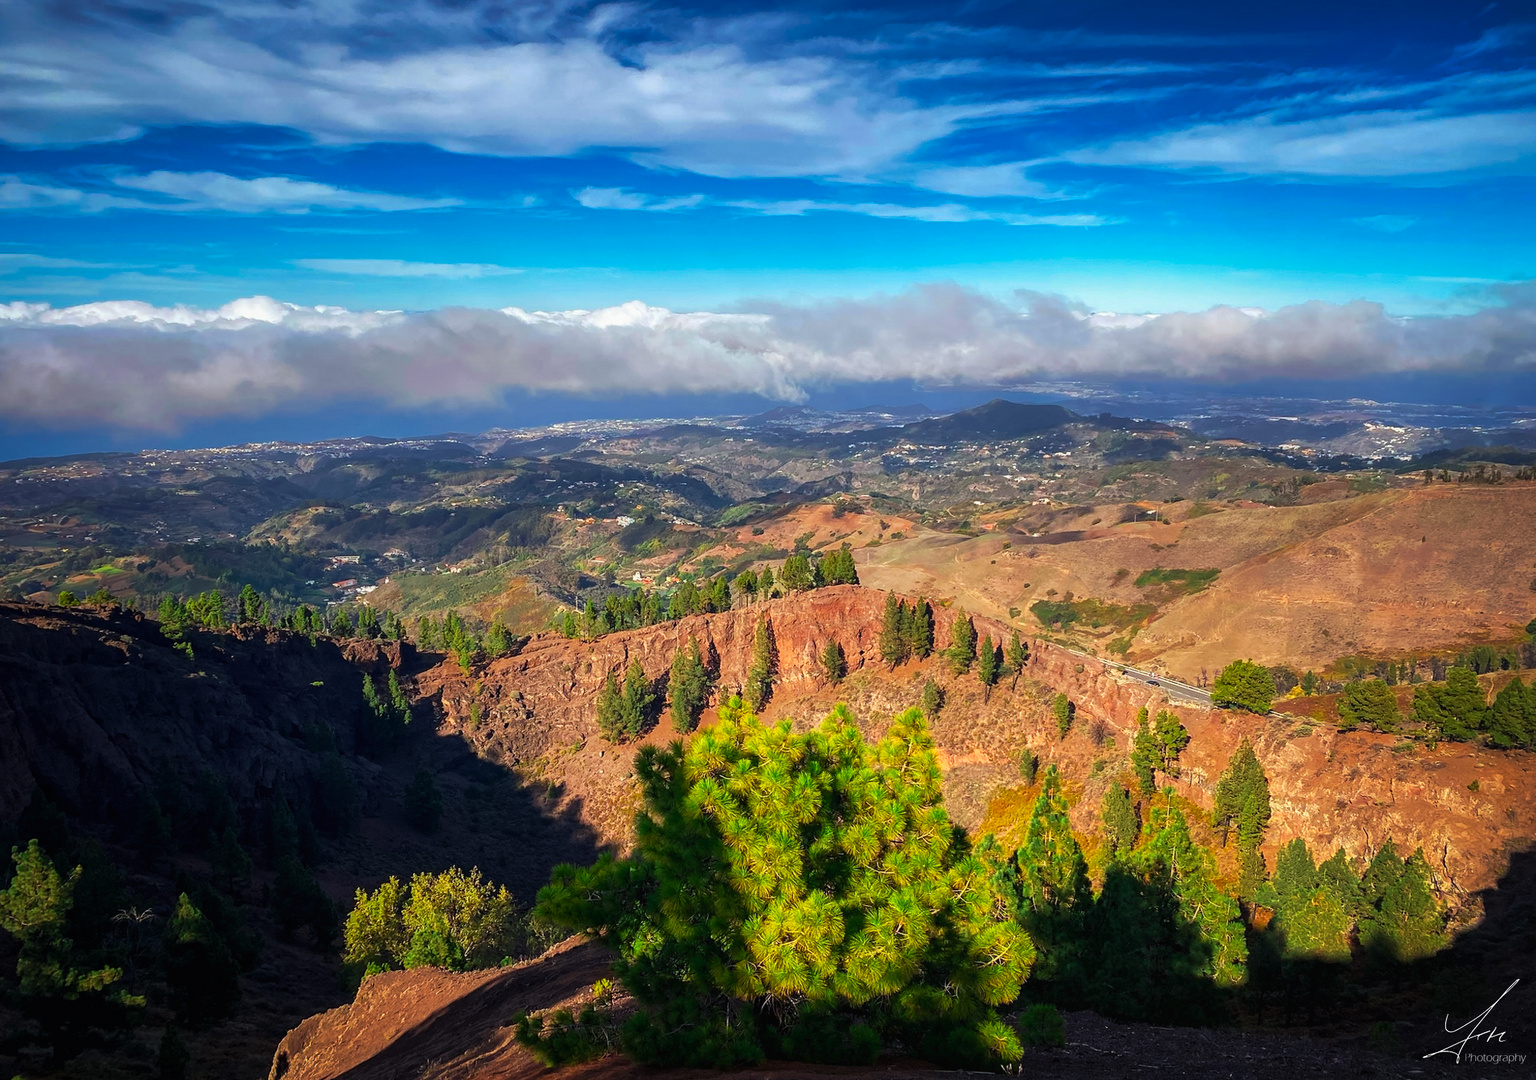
pixel 804 896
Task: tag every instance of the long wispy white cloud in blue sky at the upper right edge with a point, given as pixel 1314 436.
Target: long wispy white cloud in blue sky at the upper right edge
pixel 1385 144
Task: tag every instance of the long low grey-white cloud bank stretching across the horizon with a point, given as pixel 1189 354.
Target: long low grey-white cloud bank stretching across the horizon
pixel 127 365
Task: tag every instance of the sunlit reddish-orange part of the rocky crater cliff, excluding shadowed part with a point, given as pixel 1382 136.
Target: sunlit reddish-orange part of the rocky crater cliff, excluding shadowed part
pixel 537 712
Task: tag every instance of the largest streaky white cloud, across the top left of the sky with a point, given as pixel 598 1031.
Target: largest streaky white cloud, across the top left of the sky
pixel 697 105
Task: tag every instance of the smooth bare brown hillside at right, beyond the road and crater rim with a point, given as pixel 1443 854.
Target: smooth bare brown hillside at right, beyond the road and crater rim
pixel 1395 574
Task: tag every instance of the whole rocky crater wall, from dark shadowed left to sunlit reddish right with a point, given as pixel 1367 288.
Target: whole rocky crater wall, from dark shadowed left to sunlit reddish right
pixel 91 706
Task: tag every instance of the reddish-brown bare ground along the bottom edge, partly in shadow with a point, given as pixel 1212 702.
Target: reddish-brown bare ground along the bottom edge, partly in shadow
pixel 458 1027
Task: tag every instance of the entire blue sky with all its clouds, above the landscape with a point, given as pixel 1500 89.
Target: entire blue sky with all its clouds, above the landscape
pixel 801 162
